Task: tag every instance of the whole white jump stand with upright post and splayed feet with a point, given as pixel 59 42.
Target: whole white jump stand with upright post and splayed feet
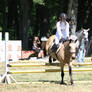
pixel 7 77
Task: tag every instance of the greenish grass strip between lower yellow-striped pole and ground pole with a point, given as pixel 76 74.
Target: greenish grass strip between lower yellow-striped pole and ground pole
pixel 77 76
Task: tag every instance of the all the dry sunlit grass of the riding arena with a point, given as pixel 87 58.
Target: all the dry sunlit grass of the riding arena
pixel 49 82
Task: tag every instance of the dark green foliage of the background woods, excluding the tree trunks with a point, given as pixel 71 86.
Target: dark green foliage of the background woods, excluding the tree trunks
pixel 53 7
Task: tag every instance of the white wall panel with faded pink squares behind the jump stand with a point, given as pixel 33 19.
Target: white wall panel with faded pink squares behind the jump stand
pixel 14 49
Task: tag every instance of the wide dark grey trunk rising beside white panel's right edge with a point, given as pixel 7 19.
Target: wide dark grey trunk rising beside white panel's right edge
pixel 24 23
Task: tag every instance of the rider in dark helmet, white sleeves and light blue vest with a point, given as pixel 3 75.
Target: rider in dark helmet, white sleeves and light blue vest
pixel 62 32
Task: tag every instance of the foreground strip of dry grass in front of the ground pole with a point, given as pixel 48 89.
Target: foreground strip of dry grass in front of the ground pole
pixel 47 87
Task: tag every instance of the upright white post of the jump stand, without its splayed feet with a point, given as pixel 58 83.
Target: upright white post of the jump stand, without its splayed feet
pixel 6 51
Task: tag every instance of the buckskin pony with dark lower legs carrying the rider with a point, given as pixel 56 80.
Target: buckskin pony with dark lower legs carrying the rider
pixel 65 55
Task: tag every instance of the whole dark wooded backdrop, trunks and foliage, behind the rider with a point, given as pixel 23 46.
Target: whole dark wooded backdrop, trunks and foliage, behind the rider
pixel 23 18
